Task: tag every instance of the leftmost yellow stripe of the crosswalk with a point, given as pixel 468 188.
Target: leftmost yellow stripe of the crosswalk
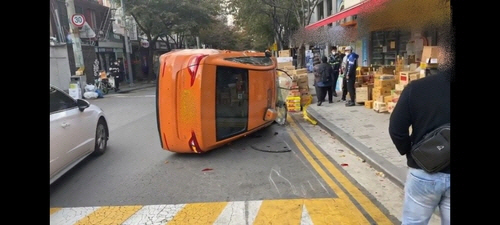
pixel 109 215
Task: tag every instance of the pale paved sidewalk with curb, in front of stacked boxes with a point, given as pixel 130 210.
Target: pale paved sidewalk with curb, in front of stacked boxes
pixel 362 130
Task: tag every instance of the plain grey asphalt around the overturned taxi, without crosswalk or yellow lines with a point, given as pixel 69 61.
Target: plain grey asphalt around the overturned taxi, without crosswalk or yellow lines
pixel 135 170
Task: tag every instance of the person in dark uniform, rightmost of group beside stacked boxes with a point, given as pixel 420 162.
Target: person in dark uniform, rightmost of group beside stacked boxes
pixel 351 63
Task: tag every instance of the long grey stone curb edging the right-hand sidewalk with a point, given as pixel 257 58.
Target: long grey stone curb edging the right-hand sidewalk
pixel 395 174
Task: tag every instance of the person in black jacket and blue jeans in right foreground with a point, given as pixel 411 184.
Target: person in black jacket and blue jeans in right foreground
pixel 424 105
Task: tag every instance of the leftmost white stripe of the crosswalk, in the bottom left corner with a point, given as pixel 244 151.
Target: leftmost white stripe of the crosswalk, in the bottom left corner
pixel 69 216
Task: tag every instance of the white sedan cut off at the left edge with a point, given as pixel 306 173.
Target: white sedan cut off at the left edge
pixel 77 130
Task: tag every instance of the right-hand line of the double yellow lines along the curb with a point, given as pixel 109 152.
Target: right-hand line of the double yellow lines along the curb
pixel 366 203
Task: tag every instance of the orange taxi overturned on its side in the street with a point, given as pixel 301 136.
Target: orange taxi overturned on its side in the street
pixel 207 98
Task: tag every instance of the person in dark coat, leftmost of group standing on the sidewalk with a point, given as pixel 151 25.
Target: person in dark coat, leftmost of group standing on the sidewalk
pixel 323 80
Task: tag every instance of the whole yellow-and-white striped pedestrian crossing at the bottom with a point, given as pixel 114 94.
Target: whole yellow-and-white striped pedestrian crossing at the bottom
pixel 282 211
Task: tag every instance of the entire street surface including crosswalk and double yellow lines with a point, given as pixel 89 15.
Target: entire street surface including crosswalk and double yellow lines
pixel 314 179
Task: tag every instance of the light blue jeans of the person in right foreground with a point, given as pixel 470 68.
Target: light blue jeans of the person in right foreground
pixel 423 193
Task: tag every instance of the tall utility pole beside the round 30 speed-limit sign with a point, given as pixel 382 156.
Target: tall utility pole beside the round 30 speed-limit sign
pixel 75 37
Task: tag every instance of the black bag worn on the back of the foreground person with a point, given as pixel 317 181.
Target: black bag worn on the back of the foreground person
pixel 432 153
